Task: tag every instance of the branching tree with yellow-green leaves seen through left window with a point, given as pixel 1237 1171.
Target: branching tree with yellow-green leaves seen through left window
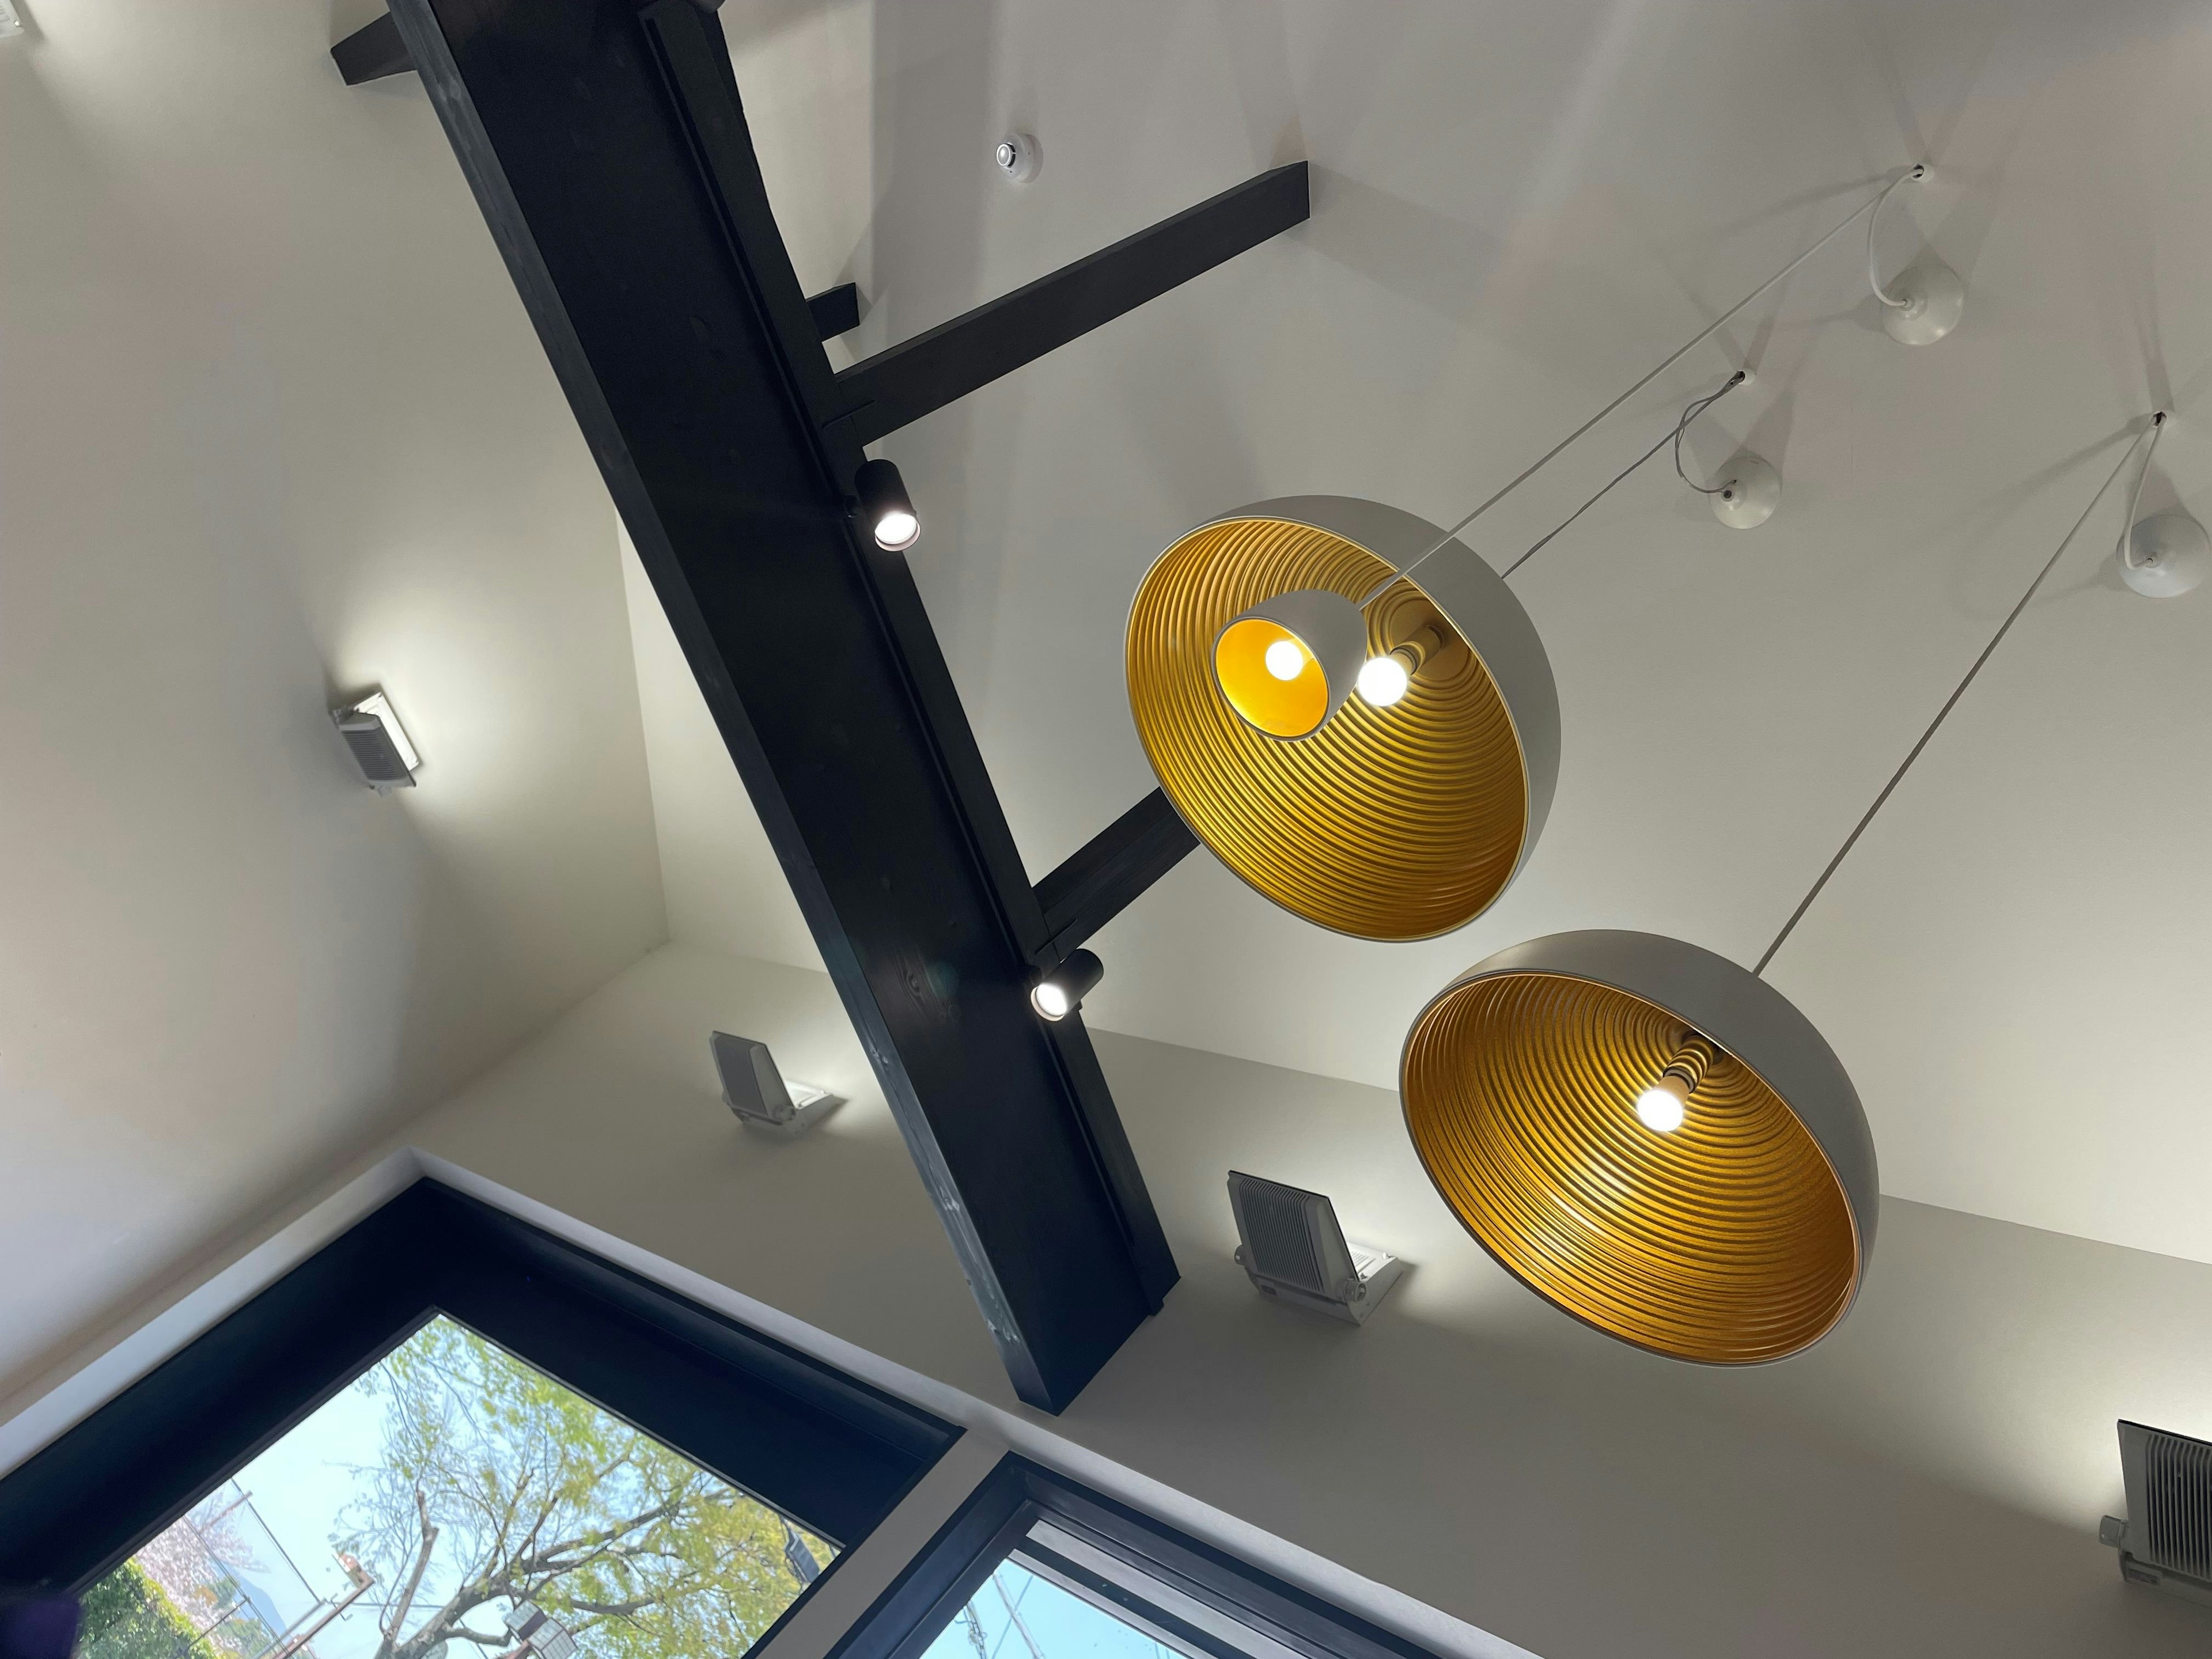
pixel 499 1488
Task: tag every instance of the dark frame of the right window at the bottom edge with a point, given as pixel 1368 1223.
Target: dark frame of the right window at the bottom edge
pixel 997 1521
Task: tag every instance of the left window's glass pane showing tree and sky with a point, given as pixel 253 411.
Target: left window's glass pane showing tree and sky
pixel 457 1503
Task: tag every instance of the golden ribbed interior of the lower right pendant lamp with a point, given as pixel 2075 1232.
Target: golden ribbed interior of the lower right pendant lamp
pixel 1724 1242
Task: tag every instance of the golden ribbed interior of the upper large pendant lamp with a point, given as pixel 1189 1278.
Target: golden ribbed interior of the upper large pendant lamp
pixel 1388 822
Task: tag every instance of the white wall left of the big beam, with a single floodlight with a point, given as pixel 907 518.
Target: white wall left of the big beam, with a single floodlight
pixel 273 428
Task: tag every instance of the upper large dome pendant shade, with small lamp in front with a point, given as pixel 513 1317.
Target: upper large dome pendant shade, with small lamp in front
pixel 1401 815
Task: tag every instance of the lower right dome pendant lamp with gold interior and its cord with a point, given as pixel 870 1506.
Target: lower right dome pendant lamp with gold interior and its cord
pixel 1653 1138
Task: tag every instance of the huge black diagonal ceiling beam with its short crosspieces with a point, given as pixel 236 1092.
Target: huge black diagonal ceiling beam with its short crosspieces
pixel 609 152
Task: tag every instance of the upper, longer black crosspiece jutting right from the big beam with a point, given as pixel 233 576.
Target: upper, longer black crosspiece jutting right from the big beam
pixel 908 382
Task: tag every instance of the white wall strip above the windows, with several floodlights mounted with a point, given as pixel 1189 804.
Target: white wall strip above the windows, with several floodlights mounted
pixel 1926 1483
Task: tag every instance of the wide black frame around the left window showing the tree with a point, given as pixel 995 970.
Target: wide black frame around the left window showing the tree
pixel 815 1443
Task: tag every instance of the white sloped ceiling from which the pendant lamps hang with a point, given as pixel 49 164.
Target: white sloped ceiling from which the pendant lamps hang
pixel 1516 213
